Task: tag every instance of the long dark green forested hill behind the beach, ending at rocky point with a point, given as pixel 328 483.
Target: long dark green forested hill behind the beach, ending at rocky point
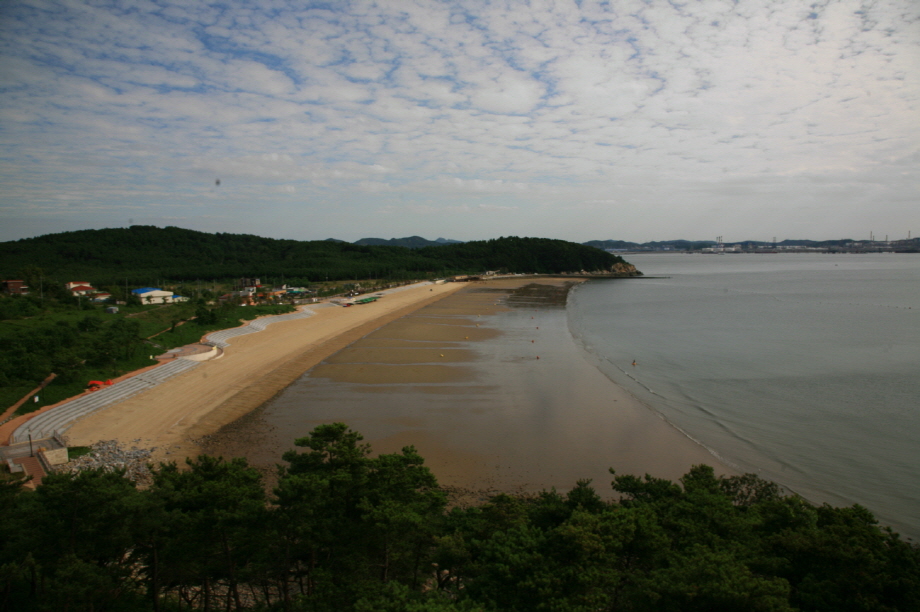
pixel 146 253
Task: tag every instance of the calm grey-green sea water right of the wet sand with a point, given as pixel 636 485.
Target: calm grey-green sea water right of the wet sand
pixel 802 368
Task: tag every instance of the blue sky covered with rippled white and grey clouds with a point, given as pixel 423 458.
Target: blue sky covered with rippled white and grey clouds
pixel 468 120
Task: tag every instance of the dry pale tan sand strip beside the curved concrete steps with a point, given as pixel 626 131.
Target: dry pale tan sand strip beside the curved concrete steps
pixel 172 417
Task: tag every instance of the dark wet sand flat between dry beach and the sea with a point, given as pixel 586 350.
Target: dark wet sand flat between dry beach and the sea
pixel 491 389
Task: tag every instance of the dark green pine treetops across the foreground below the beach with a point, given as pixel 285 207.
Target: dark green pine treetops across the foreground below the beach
pixel 344 530
